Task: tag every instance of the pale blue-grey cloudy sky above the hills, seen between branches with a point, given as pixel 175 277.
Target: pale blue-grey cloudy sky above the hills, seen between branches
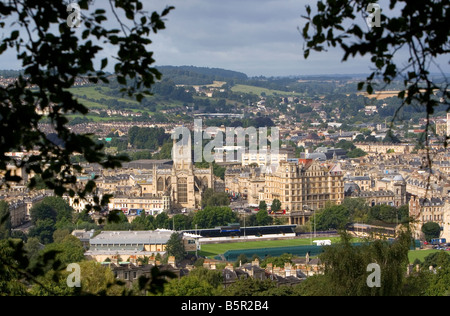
pixel 256 37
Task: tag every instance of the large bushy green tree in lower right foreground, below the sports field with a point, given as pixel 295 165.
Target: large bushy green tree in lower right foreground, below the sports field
pixel 346 267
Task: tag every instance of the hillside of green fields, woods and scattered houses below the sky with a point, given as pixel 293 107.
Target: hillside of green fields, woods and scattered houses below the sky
pixel 186 92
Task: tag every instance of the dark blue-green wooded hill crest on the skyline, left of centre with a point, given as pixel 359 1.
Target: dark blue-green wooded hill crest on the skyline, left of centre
pixel 191 75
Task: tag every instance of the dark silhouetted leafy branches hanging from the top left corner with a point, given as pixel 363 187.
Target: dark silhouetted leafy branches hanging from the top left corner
pixel 53 58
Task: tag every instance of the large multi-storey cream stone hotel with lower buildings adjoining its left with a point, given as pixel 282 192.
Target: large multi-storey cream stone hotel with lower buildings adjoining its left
pixel 299 184
